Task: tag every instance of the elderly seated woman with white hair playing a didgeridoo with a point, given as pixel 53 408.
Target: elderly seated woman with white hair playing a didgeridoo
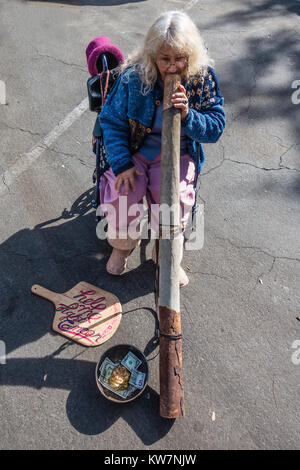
pixel 131 120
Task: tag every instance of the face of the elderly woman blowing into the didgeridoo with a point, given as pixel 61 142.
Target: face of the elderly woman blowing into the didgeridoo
pixel 170 60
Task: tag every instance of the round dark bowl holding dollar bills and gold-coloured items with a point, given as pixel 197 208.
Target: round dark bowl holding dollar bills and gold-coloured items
pixel 122 373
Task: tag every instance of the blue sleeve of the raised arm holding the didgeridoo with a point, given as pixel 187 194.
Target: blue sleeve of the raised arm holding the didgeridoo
pixel 205 123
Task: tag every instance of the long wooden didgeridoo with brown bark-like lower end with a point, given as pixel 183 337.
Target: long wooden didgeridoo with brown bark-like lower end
pixel 170 357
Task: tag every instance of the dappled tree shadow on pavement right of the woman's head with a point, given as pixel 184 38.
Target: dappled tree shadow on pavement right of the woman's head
pixel 249 87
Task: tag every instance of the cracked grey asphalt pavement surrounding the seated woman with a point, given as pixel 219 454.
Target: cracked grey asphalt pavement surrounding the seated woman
pixel 240 311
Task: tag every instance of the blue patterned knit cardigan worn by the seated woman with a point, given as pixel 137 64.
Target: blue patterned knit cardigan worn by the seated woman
pixel 128 115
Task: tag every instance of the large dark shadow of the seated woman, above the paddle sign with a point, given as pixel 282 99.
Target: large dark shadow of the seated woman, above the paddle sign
pixel 58 254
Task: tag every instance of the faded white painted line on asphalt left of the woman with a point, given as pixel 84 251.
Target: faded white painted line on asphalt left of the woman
pixel 27 159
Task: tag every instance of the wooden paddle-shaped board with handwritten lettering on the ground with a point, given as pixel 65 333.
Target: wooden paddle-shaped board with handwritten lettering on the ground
pixel 86 314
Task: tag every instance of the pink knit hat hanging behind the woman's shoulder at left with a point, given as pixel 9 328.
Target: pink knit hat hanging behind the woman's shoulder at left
pixel 99 46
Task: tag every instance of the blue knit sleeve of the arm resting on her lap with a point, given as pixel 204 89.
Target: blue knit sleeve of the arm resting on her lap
pixel 115 126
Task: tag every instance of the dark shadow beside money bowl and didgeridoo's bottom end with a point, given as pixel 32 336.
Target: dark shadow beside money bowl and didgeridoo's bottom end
pixel 88 412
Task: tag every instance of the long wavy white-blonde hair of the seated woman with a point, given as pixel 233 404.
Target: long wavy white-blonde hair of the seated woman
pixel 175 29
